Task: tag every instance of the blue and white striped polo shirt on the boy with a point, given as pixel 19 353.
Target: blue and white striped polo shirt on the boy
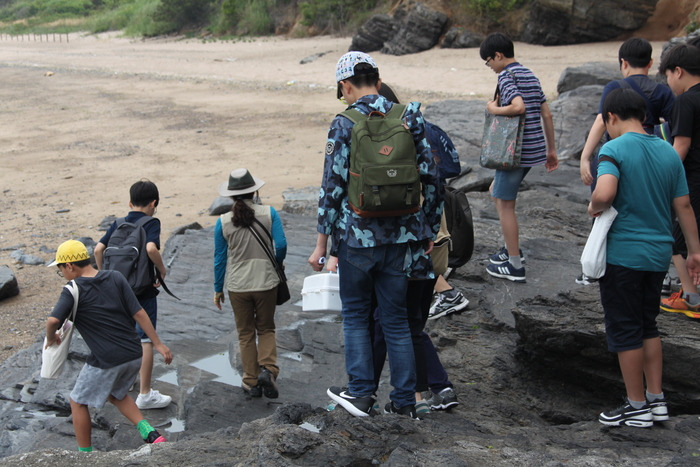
pixel 528 87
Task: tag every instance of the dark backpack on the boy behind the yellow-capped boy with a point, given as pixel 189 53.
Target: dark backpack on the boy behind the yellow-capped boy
pixel 126 253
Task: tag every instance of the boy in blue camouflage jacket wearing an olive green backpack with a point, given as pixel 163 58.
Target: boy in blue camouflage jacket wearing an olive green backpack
pixel 377 165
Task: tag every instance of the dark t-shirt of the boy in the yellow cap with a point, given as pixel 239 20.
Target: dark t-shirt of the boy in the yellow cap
pixel 105 318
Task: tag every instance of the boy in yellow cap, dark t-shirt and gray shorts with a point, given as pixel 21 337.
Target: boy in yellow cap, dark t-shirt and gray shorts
pixel 106 316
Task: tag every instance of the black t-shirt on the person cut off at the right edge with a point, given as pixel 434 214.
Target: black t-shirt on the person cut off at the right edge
pixel 686 122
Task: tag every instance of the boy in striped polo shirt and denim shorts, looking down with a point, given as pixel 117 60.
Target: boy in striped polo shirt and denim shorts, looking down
pixel 520 92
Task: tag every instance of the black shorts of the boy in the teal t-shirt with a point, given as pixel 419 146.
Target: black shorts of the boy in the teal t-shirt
pixel 631 304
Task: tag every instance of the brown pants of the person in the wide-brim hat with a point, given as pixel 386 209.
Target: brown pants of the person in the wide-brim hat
pixel 255 317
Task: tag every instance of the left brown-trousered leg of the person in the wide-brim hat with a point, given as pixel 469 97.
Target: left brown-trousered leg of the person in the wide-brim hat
pixel 244 314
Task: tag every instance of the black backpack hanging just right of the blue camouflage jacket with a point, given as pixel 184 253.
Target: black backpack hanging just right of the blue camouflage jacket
pixel 458 215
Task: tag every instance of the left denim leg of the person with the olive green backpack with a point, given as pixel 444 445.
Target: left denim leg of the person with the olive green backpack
pixel 356 285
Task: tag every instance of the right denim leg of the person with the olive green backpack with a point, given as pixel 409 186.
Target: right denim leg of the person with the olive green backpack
pixel 391 285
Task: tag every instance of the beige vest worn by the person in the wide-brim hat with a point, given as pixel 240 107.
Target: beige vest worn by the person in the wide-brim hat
pixel 248 269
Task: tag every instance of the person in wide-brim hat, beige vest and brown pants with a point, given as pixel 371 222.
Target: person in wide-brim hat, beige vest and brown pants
pixel 244 273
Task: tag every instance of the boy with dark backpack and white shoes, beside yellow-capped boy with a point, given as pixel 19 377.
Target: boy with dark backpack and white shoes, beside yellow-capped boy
pixel 122 249
